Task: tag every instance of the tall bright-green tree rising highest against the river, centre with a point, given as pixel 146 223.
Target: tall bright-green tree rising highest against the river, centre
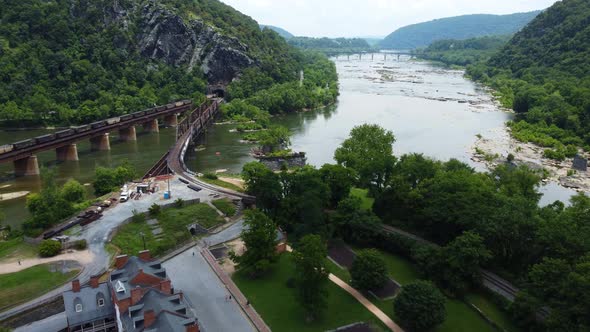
pixel 368 151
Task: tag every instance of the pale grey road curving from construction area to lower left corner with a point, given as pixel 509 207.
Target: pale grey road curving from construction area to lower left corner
pixel 97 233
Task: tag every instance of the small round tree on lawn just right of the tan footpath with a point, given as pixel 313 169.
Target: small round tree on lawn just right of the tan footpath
pixel 368 271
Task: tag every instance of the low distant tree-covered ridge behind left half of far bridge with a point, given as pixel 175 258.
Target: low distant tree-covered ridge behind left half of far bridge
pixel 332 46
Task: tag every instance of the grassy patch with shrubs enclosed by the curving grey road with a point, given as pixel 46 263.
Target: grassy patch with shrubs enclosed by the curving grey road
pixel 172 222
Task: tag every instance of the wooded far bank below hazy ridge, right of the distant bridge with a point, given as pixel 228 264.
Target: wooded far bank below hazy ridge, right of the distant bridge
pixel 453 52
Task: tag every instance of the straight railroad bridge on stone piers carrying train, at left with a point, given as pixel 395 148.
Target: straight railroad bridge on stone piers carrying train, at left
pixel 23 153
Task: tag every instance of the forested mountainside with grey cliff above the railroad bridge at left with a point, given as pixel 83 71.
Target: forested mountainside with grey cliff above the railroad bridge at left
pixel 73 61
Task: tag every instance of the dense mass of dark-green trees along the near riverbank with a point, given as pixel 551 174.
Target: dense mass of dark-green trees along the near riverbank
pixel 490 220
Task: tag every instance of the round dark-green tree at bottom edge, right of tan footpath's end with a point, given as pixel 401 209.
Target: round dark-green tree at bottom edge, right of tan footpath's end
pixel 420 306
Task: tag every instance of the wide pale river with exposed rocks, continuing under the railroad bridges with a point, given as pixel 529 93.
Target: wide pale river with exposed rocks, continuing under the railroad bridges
pixel 430 110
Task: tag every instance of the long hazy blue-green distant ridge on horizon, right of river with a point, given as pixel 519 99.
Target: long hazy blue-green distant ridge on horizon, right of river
pixel 459 27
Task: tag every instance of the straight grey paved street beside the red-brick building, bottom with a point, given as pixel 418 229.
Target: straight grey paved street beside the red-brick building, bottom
pixel 191 274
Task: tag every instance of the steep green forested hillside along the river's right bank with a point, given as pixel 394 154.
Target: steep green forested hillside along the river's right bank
pixel 543 74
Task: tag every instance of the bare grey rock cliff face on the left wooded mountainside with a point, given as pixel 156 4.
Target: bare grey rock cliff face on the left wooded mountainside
pixel 164 36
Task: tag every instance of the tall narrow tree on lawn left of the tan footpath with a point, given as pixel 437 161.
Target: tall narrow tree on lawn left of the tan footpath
pixel 311 275
